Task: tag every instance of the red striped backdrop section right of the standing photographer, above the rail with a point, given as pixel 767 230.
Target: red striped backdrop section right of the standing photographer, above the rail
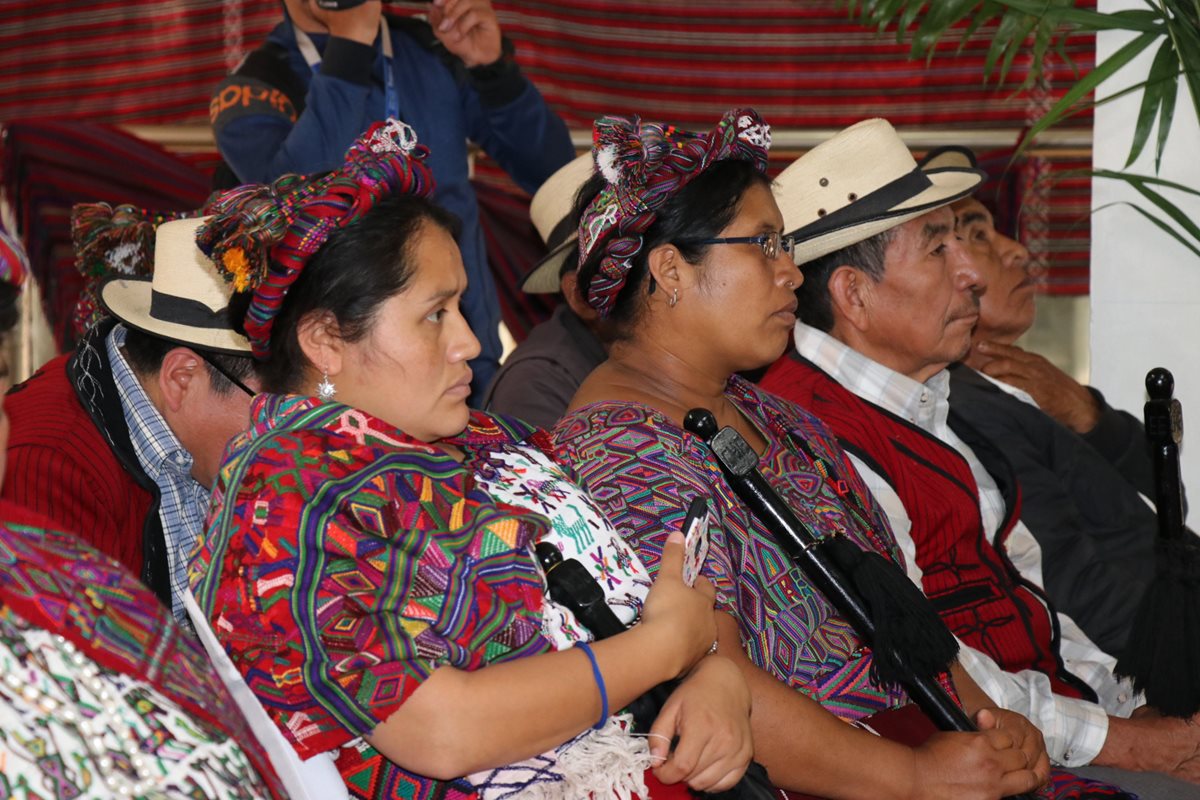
pixel 802 64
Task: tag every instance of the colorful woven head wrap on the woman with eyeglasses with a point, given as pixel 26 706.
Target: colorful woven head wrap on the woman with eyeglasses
pixel 646 164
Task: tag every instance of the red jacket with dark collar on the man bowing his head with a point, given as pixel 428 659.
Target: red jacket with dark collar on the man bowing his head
pixel 70 459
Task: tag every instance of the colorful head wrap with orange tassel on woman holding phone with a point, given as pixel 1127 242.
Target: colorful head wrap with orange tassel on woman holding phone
pixel 262 237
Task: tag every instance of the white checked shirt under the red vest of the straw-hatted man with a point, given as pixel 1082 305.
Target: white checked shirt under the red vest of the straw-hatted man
pixel 1075 730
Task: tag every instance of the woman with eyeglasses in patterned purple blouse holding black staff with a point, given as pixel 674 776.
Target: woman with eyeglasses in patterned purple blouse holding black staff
pixel 682 251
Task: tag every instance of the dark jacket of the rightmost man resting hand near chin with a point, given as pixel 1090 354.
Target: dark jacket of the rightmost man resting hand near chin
pixel 1097 534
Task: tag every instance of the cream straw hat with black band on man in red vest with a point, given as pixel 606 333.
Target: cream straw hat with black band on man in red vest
pixel 859 184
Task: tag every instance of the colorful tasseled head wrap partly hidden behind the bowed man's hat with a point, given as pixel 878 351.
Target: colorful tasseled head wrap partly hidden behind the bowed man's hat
pixel 111 240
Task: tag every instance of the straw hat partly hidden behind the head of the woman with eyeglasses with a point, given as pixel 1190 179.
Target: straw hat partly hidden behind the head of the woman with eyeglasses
pixel 550 212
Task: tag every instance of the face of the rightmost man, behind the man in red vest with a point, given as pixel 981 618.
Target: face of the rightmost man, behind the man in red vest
pixel 1009 308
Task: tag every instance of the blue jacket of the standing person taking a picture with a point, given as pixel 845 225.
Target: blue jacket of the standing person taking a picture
pixel 263 137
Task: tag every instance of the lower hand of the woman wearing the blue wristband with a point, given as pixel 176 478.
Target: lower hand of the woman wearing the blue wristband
pixel 711 715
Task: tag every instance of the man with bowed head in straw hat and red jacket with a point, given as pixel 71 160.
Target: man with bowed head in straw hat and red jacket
pixel 122 440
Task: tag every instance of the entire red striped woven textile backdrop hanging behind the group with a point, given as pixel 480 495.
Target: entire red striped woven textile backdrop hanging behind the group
pixel 802 63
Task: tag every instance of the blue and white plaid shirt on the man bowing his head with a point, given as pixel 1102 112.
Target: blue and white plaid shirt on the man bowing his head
pixel 184 502
